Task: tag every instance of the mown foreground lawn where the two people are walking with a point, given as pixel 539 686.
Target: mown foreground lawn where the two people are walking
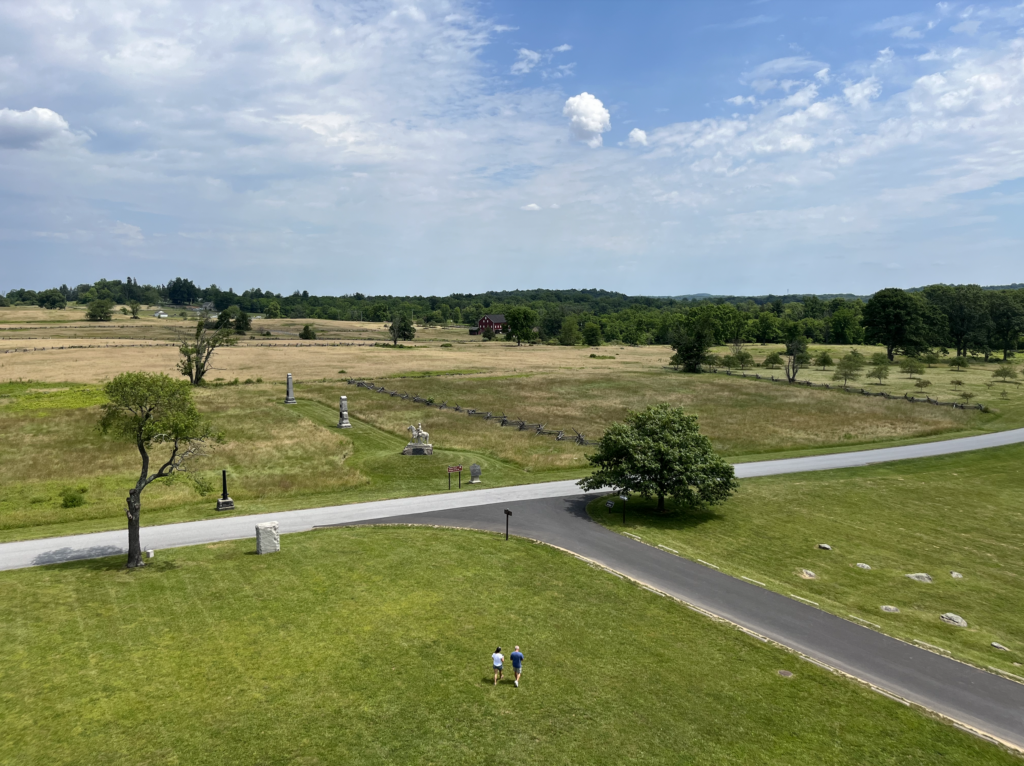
pixel 372 646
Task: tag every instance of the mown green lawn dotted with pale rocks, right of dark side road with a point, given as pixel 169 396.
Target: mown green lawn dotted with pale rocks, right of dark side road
pixel 955 514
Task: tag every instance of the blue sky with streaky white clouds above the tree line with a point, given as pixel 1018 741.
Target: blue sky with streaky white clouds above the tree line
pixel 430 148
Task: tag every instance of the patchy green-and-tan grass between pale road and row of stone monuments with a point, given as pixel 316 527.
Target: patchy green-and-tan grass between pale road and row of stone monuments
pixel 279 458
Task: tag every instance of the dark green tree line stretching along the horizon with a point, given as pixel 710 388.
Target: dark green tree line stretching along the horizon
pixel 962 319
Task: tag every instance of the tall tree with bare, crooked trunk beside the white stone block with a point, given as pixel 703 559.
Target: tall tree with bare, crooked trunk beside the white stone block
pixel 153 412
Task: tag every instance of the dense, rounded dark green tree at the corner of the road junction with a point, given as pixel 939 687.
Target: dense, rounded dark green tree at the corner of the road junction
pixel 661 453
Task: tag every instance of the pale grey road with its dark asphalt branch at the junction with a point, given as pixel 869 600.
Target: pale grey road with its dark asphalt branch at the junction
pixel 556 514
